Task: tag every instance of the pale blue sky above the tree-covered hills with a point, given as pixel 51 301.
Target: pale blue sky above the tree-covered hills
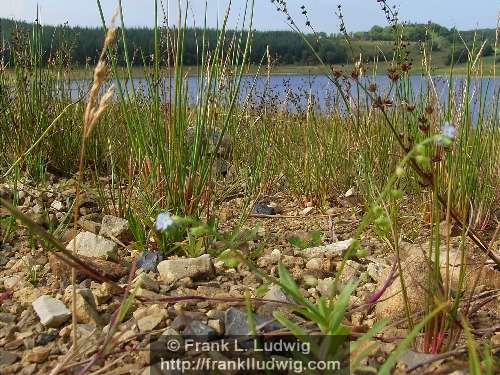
pixel 359 15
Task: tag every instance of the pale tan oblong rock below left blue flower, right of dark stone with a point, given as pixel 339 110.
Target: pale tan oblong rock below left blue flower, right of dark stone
pixel 195 268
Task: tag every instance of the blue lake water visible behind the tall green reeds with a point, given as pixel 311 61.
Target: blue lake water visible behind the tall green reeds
pixel 296 92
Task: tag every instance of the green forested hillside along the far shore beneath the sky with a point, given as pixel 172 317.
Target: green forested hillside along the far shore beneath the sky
pixel 79 45
